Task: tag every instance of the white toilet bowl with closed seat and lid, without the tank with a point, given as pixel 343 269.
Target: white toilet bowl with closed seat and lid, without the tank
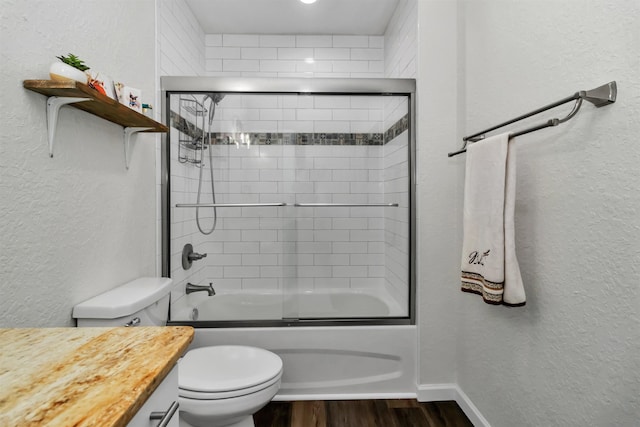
pixel 226 385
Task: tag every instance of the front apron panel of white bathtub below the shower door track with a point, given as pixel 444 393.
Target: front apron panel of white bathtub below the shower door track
pixel 332 362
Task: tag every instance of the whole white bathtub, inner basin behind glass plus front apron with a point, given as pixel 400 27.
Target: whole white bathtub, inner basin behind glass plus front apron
pixel 320 362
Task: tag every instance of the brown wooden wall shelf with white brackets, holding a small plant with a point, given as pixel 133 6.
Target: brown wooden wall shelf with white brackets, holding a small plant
pixel 83 97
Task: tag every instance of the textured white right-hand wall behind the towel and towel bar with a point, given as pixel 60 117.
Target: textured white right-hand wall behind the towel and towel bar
pixel 570 356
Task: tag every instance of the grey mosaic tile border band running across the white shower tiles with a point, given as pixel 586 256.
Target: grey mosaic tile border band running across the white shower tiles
pixel 299 138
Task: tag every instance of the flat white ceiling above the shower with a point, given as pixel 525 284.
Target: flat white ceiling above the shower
pixel 348 17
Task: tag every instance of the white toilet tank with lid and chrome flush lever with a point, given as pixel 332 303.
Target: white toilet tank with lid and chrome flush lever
pixel 143 301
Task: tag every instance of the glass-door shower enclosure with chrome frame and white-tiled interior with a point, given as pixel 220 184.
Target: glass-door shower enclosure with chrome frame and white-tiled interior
pixel 300 192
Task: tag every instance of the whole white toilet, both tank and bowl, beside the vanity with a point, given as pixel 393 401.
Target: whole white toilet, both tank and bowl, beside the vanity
pixel 221 385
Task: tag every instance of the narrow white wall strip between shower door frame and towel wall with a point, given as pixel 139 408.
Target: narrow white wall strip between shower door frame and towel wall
pixel 438 183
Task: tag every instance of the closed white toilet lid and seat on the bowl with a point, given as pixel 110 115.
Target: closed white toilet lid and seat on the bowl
pixel 222 372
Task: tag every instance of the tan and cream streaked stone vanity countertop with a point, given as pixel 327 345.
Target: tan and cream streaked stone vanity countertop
pixel 83 376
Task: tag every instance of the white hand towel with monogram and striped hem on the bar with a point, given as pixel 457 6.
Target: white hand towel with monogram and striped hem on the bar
pixel 489 264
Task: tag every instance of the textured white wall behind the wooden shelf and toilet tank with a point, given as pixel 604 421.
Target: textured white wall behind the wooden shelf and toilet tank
pixel 80 223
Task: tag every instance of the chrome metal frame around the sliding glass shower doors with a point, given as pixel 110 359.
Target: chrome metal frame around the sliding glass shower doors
pixel 295 86
